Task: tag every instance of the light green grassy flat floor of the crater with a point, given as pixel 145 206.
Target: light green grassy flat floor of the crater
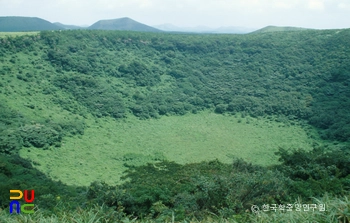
pixel 108 146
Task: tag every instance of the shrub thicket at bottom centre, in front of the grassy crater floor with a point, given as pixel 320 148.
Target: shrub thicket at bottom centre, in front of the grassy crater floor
pixel 192 189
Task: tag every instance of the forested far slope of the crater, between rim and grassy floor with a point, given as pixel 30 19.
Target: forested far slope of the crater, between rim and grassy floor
pixel 298 75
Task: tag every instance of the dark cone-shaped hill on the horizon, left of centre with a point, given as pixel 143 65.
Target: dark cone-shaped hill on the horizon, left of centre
pixel 122 24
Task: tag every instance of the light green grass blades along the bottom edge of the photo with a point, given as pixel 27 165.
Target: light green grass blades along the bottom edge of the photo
pixel 337 212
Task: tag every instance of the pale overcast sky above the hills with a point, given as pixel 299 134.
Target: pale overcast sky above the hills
pixel 320 14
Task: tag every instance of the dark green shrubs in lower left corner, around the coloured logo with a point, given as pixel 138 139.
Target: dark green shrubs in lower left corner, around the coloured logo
pixel 17 173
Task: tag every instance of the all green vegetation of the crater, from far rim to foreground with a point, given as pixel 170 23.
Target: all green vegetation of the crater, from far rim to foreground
pixel 174 127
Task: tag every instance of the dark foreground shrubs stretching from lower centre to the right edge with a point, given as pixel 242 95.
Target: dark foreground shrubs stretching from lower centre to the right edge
pixel 194 190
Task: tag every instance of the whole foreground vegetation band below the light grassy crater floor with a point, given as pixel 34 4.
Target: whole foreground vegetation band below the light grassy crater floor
pixel 201 192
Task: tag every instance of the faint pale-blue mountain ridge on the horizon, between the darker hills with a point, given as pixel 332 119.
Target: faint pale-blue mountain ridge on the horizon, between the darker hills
pixel 204 29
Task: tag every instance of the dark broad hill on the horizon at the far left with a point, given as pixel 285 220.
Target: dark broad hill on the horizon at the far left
pixel 21 24
